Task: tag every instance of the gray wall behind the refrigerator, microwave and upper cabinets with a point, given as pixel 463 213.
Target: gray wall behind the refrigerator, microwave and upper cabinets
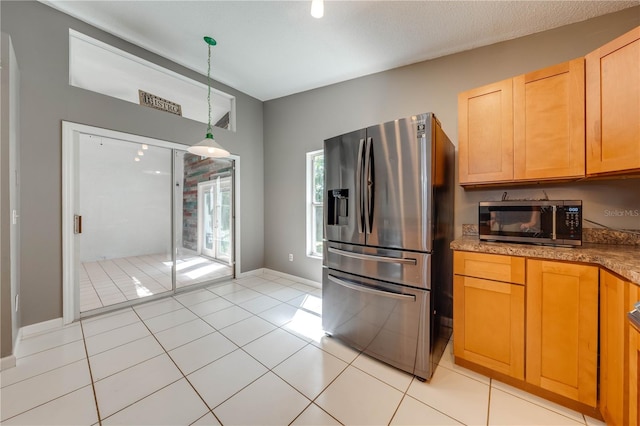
pixel 299 123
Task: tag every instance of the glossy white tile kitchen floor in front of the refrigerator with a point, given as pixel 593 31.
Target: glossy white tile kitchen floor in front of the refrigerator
pixel 250 351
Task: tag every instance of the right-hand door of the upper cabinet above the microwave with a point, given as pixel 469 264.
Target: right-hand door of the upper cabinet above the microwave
pixel 549 122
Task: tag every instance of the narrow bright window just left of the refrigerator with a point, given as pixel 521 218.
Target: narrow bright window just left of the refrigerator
pixel 315 191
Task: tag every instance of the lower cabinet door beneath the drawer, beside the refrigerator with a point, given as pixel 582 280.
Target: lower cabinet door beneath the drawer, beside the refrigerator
pixel 488 324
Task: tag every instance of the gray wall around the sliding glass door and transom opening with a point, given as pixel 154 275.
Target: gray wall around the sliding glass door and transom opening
pixel 41 41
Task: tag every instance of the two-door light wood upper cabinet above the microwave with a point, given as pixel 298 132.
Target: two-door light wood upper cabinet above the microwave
pixel 527 128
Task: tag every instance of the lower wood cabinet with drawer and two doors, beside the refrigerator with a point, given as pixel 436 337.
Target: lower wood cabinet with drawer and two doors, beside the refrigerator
pixel 539 328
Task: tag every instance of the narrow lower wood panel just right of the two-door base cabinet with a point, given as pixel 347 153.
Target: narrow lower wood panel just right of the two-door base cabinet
pixel 613 358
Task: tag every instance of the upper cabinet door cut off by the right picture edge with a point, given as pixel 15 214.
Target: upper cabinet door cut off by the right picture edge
pixel 613 105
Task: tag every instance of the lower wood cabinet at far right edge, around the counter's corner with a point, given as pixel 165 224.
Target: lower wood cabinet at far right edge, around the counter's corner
pixel 618 351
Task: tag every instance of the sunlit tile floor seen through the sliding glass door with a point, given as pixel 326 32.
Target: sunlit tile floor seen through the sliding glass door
pixel 108 282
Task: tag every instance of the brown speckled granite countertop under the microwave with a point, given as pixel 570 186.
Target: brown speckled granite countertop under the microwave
pixel 622 259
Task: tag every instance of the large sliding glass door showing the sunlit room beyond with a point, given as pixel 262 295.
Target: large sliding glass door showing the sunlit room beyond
pixel 143 228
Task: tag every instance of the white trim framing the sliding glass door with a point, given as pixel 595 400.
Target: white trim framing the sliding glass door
pixel 70 138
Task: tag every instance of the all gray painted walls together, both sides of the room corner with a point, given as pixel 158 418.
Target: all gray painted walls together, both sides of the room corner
pixel 293 126
